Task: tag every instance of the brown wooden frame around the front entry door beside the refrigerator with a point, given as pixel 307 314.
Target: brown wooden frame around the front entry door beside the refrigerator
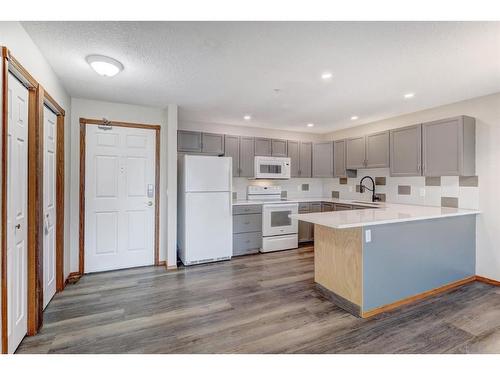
pixel 83 123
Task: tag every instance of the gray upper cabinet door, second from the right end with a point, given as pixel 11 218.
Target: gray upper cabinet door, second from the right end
pixel 406 151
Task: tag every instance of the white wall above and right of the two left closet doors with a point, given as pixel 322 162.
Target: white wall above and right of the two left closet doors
pixel 13 36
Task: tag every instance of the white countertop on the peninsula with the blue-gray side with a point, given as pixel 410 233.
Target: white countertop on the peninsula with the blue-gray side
pixel 387 213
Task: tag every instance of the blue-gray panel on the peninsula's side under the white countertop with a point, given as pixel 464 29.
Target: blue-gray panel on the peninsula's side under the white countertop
pixel 405 259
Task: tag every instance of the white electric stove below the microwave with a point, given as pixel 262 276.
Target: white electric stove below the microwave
pixel 279 231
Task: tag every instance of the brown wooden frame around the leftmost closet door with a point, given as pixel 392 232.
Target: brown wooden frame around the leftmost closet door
pixel 35 194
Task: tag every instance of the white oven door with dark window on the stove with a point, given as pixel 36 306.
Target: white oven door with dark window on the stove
pixel 276 219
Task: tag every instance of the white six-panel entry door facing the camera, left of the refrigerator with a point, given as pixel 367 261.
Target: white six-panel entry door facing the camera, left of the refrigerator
pixel 119 198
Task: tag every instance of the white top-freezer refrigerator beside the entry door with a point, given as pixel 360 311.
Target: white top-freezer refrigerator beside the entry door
pixel 205 225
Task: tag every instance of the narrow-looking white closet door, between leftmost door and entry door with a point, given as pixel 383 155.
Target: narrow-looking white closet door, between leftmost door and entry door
pixel 49 205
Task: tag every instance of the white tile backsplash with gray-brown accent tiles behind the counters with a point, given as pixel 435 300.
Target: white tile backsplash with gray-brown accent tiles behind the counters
pixel 405 190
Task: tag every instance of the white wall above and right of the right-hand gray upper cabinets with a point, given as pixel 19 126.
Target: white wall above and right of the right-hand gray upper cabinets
pixel 486 110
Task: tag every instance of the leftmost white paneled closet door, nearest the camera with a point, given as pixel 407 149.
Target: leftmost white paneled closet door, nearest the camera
pixel 17 219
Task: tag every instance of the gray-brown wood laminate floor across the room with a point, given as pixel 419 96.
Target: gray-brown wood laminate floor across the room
pixel 262 303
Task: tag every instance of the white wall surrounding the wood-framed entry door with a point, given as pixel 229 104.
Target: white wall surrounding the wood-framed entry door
pixel 128 113
